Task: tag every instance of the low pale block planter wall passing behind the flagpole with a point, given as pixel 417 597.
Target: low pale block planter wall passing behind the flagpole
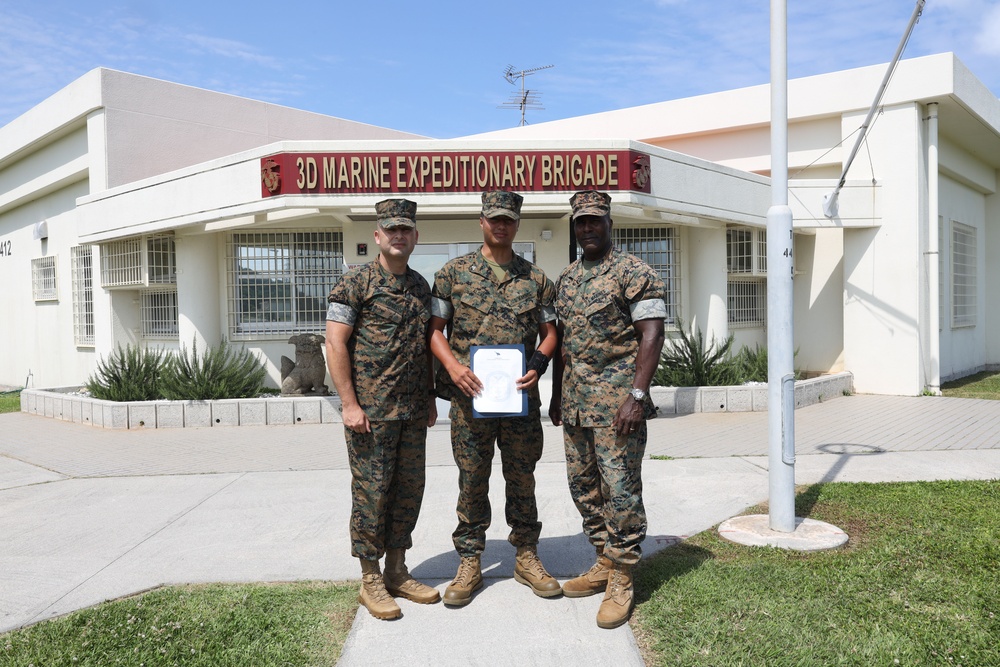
pixel 685 400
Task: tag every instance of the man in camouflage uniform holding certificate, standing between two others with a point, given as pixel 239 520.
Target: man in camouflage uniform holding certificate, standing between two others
pixel 508 302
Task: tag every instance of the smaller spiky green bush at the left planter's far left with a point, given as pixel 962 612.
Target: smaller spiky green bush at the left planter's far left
pixel 128 374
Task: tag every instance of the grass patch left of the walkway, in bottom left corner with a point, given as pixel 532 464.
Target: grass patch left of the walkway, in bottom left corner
pixel 206 626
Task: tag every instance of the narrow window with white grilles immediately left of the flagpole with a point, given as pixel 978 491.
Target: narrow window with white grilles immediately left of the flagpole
pixel 746 263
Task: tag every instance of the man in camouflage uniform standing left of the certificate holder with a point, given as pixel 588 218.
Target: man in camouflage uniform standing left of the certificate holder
pixel 377 325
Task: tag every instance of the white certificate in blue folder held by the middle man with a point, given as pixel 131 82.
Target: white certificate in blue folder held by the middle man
pixel 498 367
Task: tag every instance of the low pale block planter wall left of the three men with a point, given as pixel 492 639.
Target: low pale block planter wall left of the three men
pixel 62 403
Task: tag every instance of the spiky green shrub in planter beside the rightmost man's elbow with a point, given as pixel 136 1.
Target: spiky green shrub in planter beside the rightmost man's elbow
pixel 688 362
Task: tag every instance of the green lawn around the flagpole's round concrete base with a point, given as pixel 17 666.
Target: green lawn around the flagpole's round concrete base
pixel 917 584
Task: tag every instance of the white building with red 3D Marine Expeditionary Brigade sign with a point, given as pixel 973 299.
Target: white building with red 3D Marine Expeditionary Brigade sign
pixel 174 192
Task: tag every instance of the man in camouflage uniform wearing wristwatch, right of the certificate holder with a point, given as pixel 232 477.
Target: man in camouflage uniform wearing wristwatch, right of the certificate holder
pixel 611 311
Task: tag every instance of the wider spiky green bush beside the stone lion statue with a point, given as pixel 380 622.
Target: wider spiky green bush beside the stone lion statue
pixel 221 372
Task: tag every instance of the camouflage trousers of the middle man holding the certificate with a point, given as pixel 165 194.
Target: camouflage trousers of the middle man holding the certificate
pixel 519 440
